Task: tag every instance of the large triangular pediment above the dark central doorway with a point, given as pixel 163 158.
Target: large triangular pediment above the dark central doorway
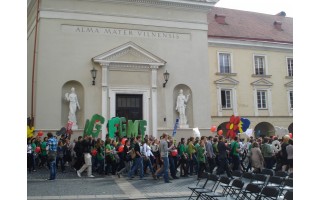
pixel 129 53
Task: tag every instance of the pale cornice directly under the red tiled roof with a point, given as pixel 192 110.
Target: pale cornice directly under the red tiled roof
pixel 250 43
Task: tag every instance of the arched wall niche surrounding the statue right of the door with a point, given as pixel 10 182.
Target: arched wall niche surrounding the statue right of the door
pixel 189 107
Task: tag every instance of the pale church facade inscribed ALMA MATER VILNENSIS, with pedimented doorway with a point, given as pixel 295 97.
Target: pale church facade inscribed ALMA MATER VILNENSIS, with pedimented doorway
pixel 130 44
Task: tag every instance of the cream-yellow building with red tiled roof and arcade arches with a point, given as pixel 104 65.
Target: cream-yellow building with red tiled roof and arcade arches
pixel 251 70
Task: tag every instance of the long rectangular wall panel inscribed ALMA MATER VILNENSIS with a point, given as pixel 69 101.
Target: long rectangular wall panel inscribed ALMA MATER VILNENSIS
pixel 126 32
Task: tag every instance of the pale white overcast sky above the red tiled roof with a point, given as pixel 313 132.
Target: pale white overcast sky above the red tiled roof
pixel 261 6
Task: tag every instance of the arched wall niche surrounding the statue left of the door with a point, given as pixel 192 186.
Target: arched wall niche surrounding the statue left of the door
pixel 66 88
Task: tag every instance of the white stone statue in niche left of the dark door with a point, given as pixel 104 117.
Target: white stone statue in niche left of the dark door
pixel 73 105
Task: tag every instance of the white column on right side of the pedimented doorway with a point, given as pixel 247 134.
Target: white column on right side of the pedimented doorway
pixel 154 111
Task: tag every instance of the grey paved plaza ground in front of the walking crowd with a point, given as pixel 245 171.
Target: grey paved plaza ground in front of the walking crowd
pixel 69 186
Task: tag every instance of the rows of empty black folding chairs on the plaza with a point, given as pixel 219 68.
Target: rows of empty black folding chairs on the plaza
pixel 259 186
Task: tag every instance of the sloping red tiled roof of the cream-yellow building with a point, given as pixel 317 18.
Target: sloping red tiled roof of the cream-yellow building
pixel 246 25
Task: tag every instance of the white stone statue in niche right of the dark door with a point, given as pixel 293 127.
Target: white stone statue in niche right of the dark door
pixel 181 108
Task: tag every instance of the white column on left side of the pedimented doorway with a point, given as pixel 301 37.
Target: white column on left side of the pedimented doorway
pixel 104 97
